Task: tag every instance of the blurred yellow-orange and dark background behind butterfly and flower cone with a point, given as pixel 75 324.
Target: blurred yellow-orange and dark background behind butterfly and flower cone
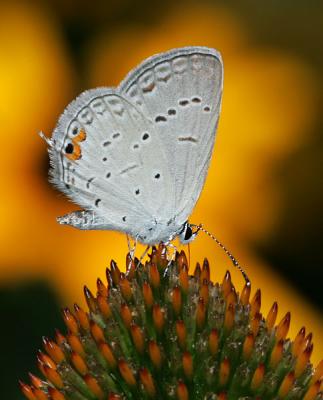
pixel 263 195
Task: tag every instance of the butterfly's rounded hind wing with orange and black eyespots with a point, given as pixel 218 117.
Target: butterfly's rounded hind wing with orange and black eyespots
pixel 107 157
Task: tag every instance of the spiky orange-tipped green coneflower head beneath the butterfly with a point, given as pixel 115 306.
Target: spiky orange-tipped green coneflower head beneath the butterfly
pixel 157 332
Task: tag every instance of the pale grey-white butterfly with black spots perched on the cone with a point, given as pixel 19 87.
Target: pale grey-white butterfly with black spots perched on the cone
pixel 135 157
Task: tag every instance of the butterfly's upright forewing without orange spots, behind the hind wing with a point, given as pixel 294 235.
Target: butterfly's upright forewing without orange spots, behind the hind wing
pixel 180 92
